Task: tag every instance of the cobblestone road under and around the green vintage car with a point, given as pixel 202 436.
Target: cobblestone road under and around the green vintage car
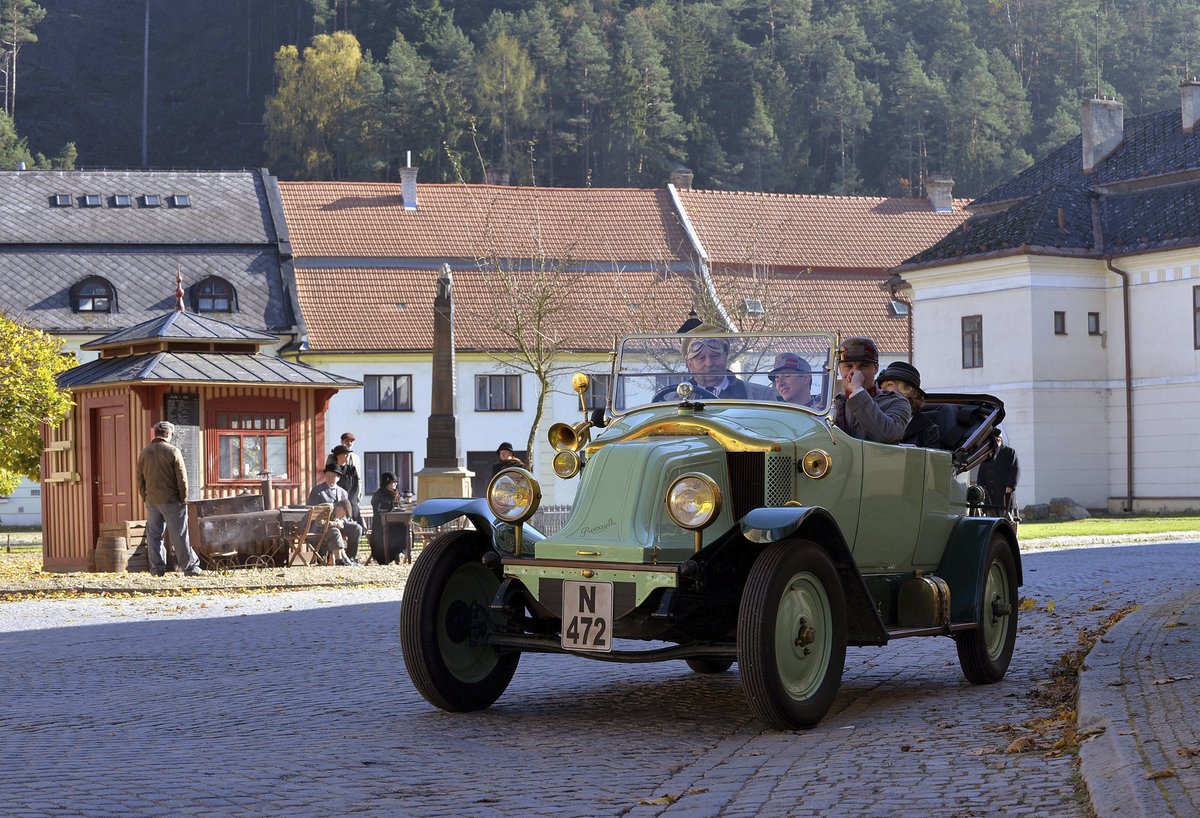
pixel 298 705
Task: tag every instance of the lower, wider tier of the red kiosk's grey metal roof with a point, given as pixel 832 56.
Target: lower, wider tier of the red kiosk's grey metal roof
pixel 200 368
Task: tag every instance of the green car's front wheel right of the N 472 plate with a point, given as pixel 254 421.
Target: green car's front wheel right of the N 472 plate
pixel 793 635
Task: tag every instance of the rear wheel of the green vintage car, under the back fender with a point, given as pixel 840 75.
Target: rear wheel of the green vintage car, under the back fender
pixel 986 652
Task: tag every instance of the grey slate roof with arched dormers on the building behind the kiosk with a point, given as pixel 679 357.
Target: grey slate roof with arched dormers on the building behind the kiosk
pixel 227 231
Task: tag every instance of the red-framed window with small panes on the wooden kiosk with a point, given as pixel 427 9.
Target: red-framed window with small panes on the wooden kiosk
pixel 250 443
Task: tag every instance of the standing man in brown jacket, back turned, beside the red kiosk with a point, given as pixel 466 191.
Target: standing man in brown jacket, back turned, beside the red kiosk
pixel 163 483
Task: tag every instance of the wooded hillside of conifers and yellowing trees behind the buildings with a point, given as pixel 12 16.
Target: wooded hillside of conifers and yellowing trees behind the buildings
pixel 860 97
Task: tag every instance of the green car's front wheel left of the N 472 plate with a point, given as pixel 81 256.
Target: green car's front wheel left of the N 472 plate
pixel 443 627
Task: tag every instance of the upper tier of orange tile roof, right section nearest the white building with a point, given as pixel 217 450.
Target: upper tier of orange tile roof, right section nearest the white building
pixel 823 232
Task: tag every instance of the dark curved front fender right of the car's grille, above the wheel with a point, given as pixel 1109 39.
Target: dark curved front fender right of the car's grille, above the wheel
pixel 772 525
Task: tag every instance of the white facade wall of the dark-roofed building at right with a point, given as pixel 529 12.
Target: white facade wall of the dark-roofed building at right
pixel 1065 395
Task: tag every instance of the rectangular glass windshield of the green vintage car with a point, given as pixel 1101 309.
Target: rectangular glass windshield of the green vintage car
pixel 782 369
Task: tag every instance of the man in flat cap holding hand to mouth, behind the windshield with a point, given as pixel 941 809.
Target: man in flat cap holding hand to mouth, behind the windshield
pixel 862 410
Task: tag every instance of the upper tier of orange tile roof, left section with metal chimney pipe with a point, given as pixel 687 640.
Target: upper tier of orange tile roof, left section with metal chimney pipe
pixel 361 220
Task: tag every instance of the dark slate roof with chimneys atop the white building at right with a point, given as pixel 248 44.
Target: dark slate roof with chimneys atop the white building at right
pixel 1143 197
